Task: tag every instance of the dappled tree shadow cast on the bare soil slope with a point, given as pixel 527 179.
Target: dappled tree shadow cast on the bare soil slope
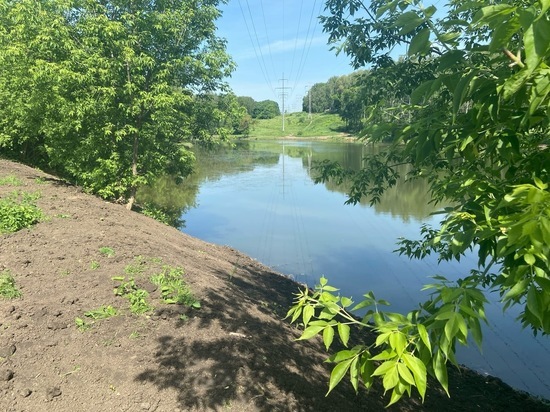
pixel 238 351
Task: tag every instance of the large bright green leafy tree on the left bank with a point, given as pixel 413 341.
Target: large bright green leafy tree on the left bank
pixel 103 91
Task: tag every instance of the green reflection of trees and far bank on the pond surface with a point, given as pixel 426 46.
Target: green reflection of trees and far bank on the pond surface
pixel 407 200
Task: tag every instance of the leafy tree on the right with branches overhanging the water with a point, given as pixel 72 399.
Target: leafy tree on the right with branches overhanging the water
pixel 479 134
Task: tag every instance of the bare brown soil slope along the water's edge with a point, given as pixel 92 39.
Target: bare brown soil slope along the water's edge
pixel 235 353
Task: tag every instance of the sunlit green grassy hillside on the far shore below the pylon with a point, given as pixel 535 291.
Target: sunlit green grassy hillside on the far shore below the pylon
pixel 298 125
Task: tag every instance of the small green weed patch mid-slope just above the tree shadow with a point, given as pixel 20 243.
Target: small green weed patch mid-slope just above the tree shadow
pixel 172 287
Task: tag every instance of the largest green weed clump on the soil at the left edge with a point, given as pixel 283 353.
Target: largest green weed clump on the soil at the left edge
pixel 19 211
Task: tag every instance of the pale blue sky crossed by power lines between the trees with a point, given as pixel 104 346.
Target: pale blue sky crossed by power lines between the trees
pixel 280 48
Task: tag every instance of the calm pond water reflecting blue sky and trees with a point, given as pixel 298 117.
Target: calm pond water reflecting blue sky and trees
pixel 260 199
